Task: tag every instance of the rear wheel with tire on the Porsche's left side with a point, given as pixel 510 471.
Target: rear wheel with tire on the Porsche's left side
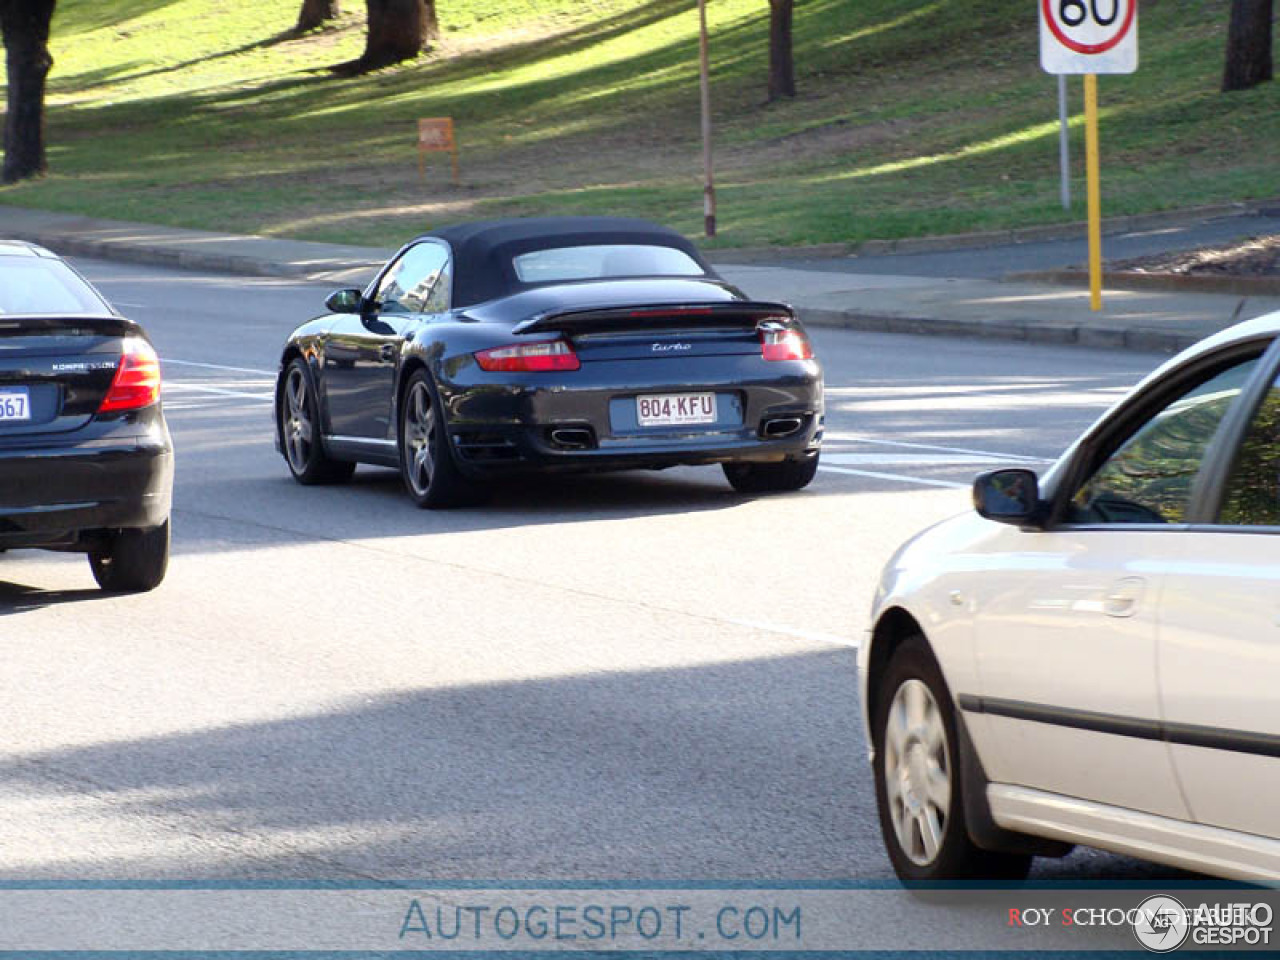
pixel 431 476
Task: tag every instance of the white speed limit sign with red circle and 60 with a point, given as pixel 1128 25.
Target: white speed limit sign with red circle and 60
pixel 1090 36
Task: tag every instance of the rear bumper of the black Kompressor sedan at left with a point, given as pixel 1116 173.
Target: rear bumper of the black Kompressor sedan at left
pixel 63 496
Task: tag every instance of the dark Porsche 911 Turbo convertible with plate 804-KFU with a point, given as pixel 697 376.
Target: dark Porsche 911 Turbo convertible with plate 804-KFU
pixel 559 344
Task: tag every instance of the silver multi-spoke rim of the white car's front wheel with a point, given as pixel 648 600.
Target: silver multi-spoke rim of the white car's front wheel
pixel 917 772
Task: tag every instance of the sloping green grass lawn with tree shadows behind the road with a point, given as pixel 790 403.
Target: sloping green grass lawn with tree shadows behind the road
pixel 913 117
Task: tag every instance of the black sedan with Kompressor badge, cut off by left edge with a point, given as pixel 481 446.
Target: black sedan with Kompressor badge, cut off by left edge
pixel 86 464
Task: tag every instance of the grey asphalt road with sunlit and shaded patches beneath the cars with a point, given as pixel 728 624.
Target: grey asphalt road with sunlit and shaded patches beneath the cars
pixel 641 676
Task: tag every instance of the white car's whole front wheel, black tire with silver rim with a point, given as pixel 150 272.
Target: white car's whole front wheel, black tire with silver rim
pixel 918 779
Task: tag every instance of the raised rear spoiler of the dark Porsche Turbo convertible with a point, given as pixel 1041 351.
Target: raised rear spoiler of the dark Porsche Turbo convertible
pixel 650 317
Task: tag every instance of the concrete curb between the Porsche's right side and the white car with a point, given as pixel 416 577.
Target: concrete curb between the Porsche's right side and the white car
pixel 1108 337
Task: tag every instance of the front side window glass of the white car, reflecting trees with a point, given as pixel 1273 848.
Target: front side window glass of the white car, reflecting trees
pixel 1150 479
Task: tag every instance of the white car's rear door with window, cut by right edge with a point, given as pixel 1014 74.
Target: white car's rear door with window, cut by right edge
pixel 1220 633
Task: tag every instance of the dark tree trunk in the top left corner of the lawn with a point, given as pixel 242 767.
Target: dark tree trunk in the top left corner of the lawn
pixel 25 28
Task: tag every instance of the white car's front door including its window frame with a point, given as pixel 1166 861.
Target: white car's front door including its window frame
pixel 1067 618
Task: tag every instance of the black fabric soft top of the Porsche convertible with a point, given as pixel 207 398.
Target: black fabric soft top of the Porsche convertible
pixel 483 252
